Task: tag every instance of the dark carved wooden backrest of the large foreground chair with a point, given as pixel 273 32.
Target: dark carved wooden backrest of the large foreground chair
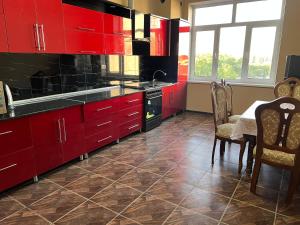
pixel 278 125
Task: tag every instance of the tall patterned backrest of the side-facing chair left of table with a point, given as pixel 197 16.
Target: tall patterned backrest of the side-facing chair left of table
pixel 219 104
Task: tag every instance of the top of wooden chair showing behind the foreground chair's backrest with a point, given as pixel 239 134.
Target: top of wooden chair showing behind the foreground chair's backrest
pixel 288 88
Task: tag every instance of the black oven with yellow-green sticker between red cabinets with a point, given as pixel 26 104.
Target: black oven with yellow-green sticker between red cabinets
pixel 152 109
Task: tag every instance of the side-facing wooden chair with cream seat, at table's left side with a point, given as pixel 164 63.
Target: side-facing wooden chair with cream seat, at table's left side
pixel 223 129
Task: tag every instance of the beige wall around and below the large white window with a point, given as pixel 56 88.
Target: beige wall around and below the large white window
pixel 198 93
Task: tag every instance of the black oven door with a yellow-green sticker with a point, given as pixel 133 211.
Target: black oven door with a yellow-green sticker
pixel 153 107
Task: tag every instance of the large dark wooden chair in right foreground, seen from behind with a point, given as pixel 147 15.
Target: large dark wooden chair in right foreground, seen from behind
pixel 278 139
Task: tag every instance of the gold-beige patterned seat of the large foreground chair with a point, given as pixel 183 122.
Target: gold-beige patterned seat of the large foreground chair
pixel 278 157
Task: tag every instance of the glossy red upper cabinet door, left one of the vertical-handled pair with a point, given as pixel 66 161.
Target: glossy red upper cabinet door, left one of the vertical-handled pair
pixel 20 23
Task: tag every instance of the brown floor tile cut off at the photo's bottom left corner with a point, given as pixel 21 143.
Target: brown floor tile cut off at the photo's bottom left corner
pixel 24 217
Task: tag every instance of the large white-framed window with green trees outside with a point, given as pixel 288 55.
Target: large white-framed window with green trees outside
pixel 236 40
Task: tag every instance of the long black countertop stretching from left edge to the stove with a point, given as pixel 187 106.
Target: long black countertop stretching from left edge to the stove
pixel 40 107
